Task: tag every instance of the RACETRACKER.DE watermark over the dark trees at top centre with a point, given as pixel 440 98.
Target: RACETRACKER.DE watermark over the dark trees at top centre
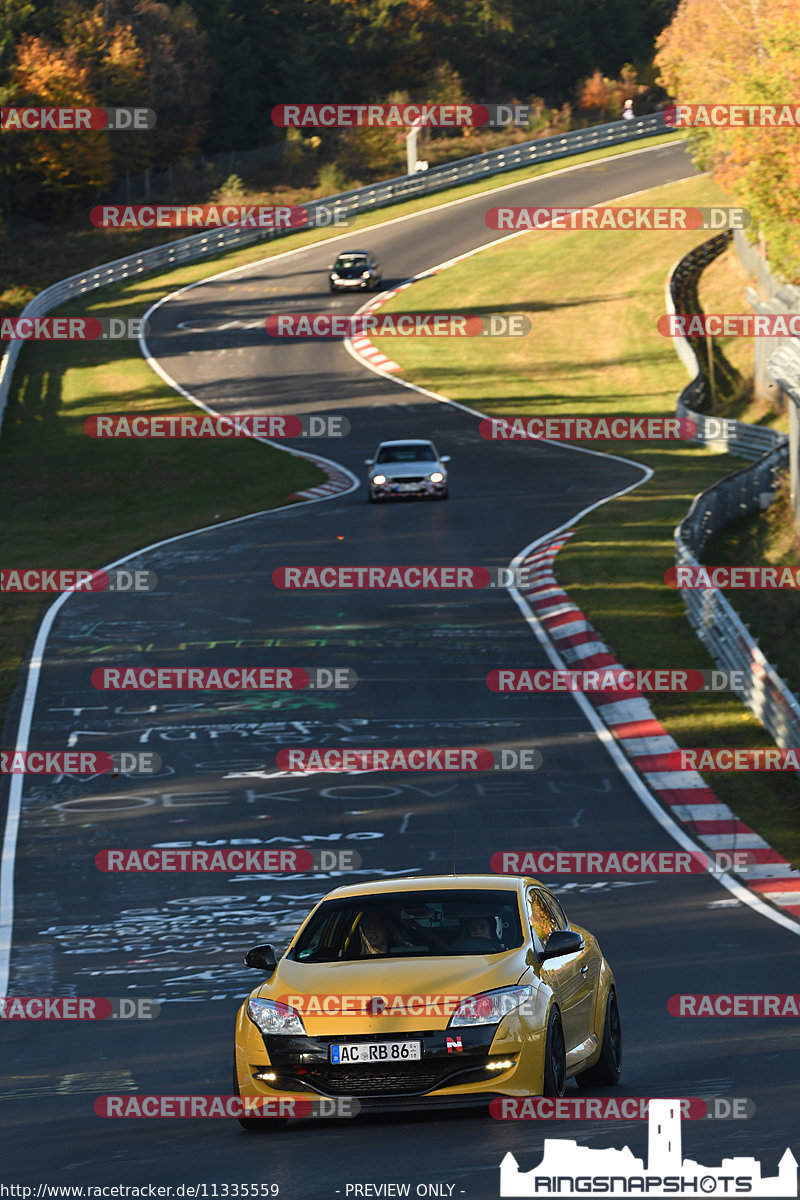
pixel 394 117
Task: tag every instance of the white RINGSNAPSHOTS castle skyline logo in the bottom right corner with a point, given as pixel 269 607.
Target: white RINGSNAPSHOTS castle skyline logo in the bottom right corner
pixel 572 1171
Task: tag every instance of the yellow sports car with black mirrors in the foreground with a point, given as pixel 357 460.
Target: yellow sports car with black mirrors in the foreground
pixel 442 991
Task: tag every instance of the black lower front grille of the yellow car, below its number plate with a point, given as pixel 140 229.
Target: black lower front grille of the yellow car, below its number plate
pixel 404 1079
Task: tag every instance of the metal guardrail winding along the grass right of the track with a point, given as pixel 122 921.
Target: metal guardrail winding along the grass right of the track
pixel 711 614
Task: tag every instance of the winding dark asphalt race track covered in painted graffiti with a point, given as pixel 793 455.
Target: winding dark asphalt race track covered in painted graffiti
pixel 422 659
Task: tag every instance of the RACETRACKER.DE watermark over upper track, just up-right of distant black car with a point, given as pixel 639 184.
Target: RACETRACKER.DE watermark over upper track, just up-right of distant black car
pixel 616 219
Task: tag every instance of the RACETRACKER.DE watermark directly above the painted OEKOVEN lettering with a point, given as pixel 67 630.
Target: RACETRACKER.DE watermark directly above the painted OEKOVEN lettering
pixel 346 759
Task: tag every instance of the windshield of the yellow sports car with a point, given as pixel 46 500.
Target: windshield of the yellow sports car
pixel 412 925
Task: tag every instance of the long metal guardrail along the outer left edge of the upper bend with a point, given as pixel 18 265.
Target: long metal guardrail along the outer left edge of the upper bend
pixel 360 200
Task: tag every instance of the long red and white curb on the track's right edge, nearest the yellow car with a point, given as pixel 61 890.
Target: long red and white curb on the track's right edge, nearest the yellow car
pixel 647 743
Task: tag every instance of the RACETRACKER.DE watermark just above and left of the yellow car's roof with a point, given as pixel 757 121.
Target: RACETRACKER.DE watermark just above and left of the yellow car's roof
pixel 287 861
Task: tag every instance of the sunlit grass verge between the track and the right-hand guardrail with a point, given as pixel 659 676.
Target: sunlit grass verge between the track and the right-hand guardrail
pixel 594 302
